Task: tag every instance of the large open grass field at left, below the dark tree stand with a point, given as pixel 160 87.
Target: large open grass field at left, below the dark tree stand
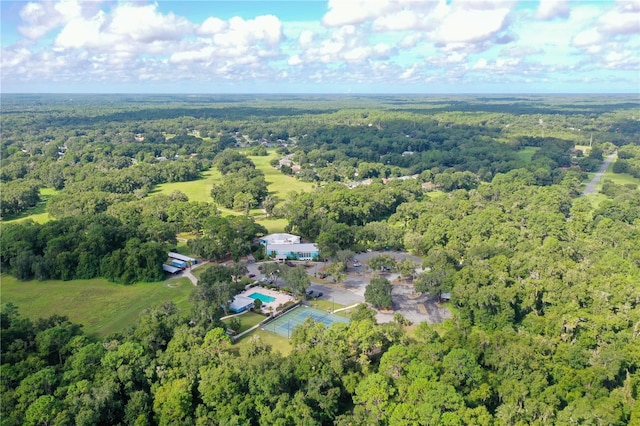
pixel 102 307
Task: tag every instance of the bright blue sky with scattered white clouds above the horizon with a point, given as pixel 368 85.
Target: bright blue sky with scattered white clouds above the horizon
pixel 312 46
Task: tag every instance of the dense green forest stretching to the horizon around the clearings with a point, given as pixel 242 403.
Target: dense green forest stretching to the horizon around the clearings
pixel 544 282
